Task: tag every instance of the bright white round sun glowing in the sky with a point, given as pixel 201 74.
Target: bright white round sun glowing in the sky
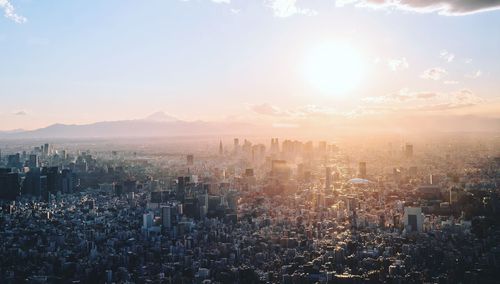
pixel 334 68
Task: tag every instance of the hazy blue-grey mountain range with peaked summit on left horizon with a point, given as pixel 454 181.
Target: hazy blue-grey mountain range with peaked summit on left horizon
pixel 156 125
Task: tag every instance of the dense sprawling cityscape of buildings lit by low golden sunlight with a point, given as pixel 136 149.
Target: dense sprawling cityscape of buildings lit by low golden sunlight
pixel 237 211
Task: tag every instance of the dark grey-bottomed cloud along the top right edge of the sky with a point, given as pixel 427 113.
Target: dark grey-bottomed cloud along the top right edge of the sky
pixel 442 7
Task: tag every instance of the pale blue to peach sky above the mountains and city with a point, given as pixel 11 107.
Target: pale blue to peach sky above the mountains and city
pixel 78 62
